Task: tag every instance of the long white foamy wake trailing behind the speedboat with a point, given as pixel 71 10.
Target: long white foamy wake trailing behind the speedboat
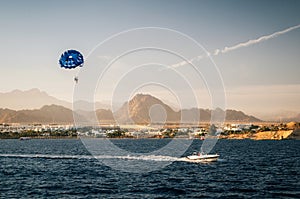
pixel 142 157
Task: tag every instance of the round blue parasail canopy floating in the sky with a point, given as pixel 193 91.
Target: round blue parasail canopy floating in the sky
pixel 71 59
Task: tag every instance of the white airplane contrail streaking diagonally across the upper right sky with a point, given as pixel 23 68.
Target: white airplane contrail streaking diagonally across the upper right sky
pixel 239 45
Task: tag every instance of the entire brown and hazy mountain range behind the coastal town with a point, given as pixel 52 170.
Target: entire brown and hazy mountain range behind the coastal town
pixel 141 109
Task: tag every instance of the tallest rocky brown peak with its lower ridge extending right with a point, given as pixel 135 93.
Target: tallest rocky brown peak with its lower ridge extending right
pixel 147 109
